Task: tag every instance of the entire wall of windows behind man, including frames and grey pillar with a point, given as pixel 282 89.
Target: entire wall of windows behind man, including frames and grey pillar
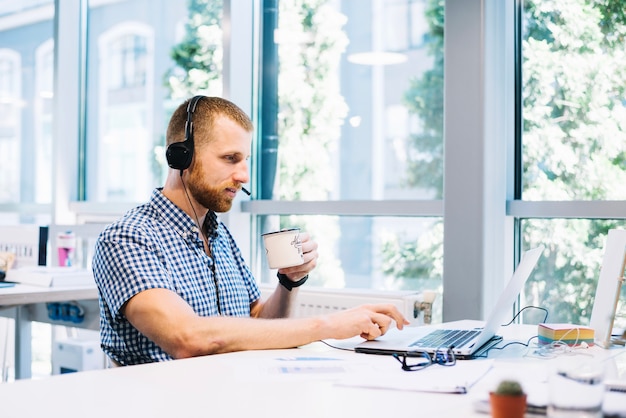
pixel 351 123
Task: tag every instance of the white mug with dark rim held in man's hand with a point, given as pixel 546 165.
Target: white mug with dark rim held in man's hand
pixel 283 248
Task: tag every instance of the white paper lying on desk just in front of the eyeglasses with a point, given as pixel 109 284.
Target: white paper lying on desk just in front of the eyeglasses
pixel 436 378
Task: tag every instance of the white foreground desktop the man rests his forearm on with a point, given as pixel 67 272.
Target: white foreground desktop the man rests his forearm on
pixel 252 384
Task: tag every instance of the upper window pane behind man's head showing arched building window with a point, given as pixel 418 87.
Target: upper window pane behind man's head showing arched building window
pixel 141 66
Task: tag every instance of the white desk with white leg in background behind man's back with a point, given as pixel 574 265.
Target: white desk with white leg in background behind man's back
pixel 28 303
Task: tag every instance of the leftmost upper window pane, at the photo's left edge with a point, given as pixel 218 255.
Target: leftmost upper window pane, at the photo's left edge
pixel 26 95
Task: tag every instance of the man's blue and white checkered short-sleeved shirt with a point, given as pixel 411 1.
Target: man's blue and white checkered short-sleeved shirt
pixel 157 245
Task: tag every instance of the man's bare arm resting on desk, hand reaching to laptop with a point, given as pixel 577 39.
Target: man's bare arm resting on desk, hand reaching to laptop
pixel 165 318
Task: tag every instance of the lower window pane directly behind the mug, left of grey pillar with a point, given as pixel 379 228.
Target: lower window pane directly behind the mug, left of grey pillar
pixel 367 252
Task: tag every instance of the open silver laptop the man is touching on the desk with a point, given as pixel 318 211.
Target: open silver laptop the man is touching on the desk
pixel 468 341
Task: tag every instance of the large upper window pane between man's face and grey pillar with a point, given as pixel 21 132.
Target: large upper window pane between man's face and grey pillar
pixel 359 90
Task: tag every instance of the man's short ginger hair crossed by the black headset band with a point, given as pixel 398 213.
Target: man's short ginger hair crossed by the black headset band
pixel 208 109
